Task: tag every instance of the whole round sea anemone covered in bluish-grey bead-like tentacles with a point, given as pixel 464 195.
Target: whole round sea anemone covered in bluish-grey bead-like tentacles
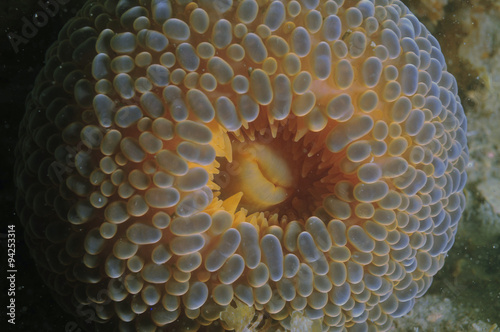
pixel 305 159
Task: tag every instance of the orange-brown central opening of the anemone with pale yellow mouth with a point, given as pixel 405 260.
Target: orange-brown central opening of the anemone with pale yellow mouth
pixel 297 175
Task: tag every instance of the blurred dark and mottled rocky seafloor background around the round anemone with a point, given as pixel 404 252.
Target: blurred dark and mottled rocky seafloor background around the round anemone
pixel 465 295
